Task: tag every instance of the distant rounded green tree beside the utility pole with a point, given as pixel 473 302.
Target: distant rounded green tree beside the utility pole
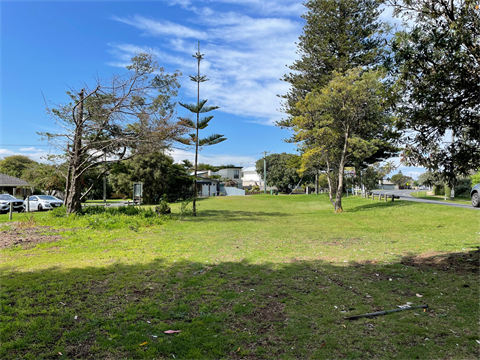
pixel 280 172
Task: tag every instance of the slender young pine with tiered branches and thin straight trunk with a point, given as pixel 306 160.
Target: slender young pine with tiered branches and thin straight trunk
pixel 193 139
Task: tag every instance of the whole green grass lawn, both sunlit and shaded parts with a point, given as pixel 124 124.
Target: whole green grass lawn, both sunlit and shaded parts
pixel 256 277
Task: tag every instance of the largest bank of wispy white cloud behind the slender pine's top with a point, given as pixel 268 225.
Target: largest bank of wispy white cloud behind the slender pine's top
pixel 245 57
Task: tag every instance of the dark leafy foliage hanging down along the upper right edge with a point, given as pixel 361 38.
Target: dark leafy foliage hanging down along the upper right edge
pixel 437 61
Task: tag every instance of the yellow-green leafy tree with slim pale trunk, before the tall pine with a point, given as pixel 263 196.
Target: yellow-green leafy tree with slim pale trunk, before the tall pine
pixel 346 121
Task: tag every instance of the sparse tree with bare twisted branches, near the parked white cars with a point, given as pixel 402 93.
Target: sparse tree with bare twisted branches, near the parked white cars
pixel 114 120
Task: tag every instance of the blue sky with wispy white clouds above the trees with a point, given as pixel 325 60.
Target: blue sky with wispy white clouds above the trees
pixel 48 47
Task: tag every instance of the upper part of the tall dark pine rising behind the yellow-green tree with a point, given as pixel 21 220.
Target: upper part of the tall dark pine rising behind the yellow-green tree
pixel 338 35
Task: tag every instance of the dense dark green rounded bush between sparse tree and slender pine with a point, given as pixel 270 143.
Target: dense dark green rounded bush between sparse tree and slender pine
pixel 158 172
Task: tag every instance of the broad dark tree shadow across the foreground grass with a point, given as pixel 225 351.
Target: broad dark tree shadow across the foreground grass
pixel 241 310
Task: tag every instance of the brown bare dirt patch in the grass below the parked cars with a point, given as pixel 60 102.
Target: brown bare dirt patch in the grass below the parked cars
pixel 27 237
